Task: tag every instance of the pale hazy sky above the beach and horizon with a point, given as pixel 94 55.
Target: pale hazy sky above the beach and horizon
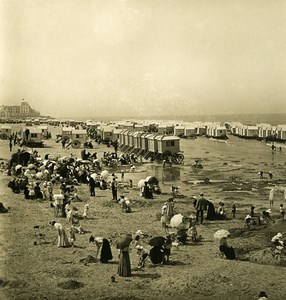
pixel 151 57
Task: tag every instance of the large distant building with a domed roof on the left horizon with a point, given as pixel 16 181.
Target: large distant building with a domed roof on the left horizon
pixel 22 110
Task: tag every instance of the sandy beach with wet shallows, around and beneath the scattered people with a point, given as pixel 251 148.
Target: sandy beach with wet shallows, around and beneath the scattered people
pixel 196 270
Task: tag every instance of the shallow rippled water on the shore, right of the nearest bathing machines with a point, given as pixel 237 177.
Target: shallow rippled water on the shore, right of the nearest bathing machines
pixel 223 160
